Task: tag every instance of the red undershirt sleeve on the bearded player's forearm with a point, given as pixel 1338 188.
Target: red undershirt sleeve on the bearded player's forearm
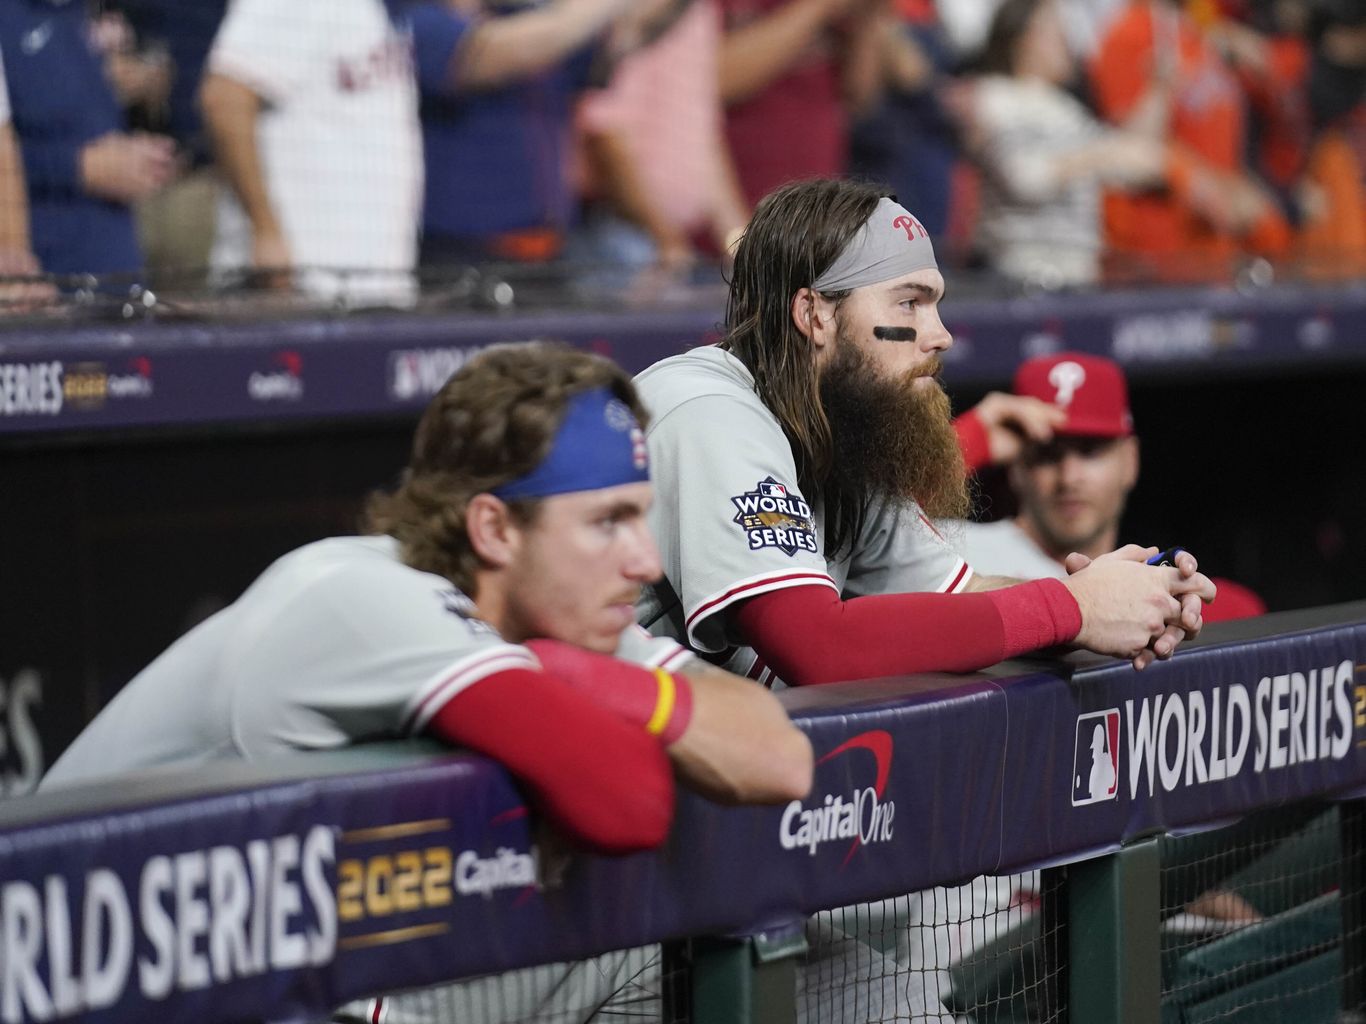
pixel 811 636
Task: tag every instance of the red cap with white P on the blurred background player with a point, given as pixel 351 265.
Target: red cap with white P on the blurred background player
pixel 1089 387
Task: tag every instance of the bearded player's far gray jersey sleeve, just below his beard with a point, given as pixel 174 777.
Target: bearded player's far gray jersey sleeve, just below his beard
pixel 901 552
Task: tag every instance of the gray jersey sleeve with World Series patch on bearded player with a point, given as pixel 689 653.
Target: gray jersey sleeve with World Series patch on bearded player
pixel 727 514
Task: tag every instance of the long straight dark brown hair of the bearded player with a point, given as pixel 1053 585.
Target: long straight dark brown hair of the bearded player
pixel 796 234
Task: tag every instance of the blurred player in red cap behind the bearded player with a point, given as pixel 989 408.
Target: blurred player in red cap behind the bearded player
pixel 1073 488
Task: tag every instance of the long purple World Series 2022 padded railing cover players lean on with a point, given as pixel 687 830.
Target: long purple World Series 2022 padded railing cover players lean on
pixel 290 898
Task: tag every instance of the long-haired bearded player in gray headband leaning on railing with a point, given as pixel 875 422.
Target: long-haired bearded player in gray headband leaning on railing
pixel 798 465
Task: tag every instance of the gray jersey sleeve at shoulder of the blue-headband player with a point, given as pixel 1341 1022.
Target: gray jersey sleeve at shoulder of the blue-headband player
pixel 374 649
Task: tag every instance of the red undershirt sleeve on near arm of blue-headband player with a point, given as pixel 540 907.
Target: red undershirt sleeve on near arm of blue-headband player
pixel 603 782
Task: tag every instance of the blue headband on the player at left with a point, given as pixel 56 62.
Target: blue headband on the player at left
pixel 600 444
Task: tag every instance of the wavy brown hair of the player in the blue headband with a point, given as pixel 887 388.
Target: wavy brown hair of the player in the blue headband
pixel 492 423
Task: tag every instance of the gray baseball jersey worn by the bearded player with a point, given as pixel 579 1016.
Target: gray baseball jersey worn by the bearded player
pixel 731 524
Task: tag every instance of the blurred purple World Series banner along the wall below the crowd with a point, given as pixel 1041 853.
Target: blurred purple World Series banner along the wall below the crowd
pixel 375 365
